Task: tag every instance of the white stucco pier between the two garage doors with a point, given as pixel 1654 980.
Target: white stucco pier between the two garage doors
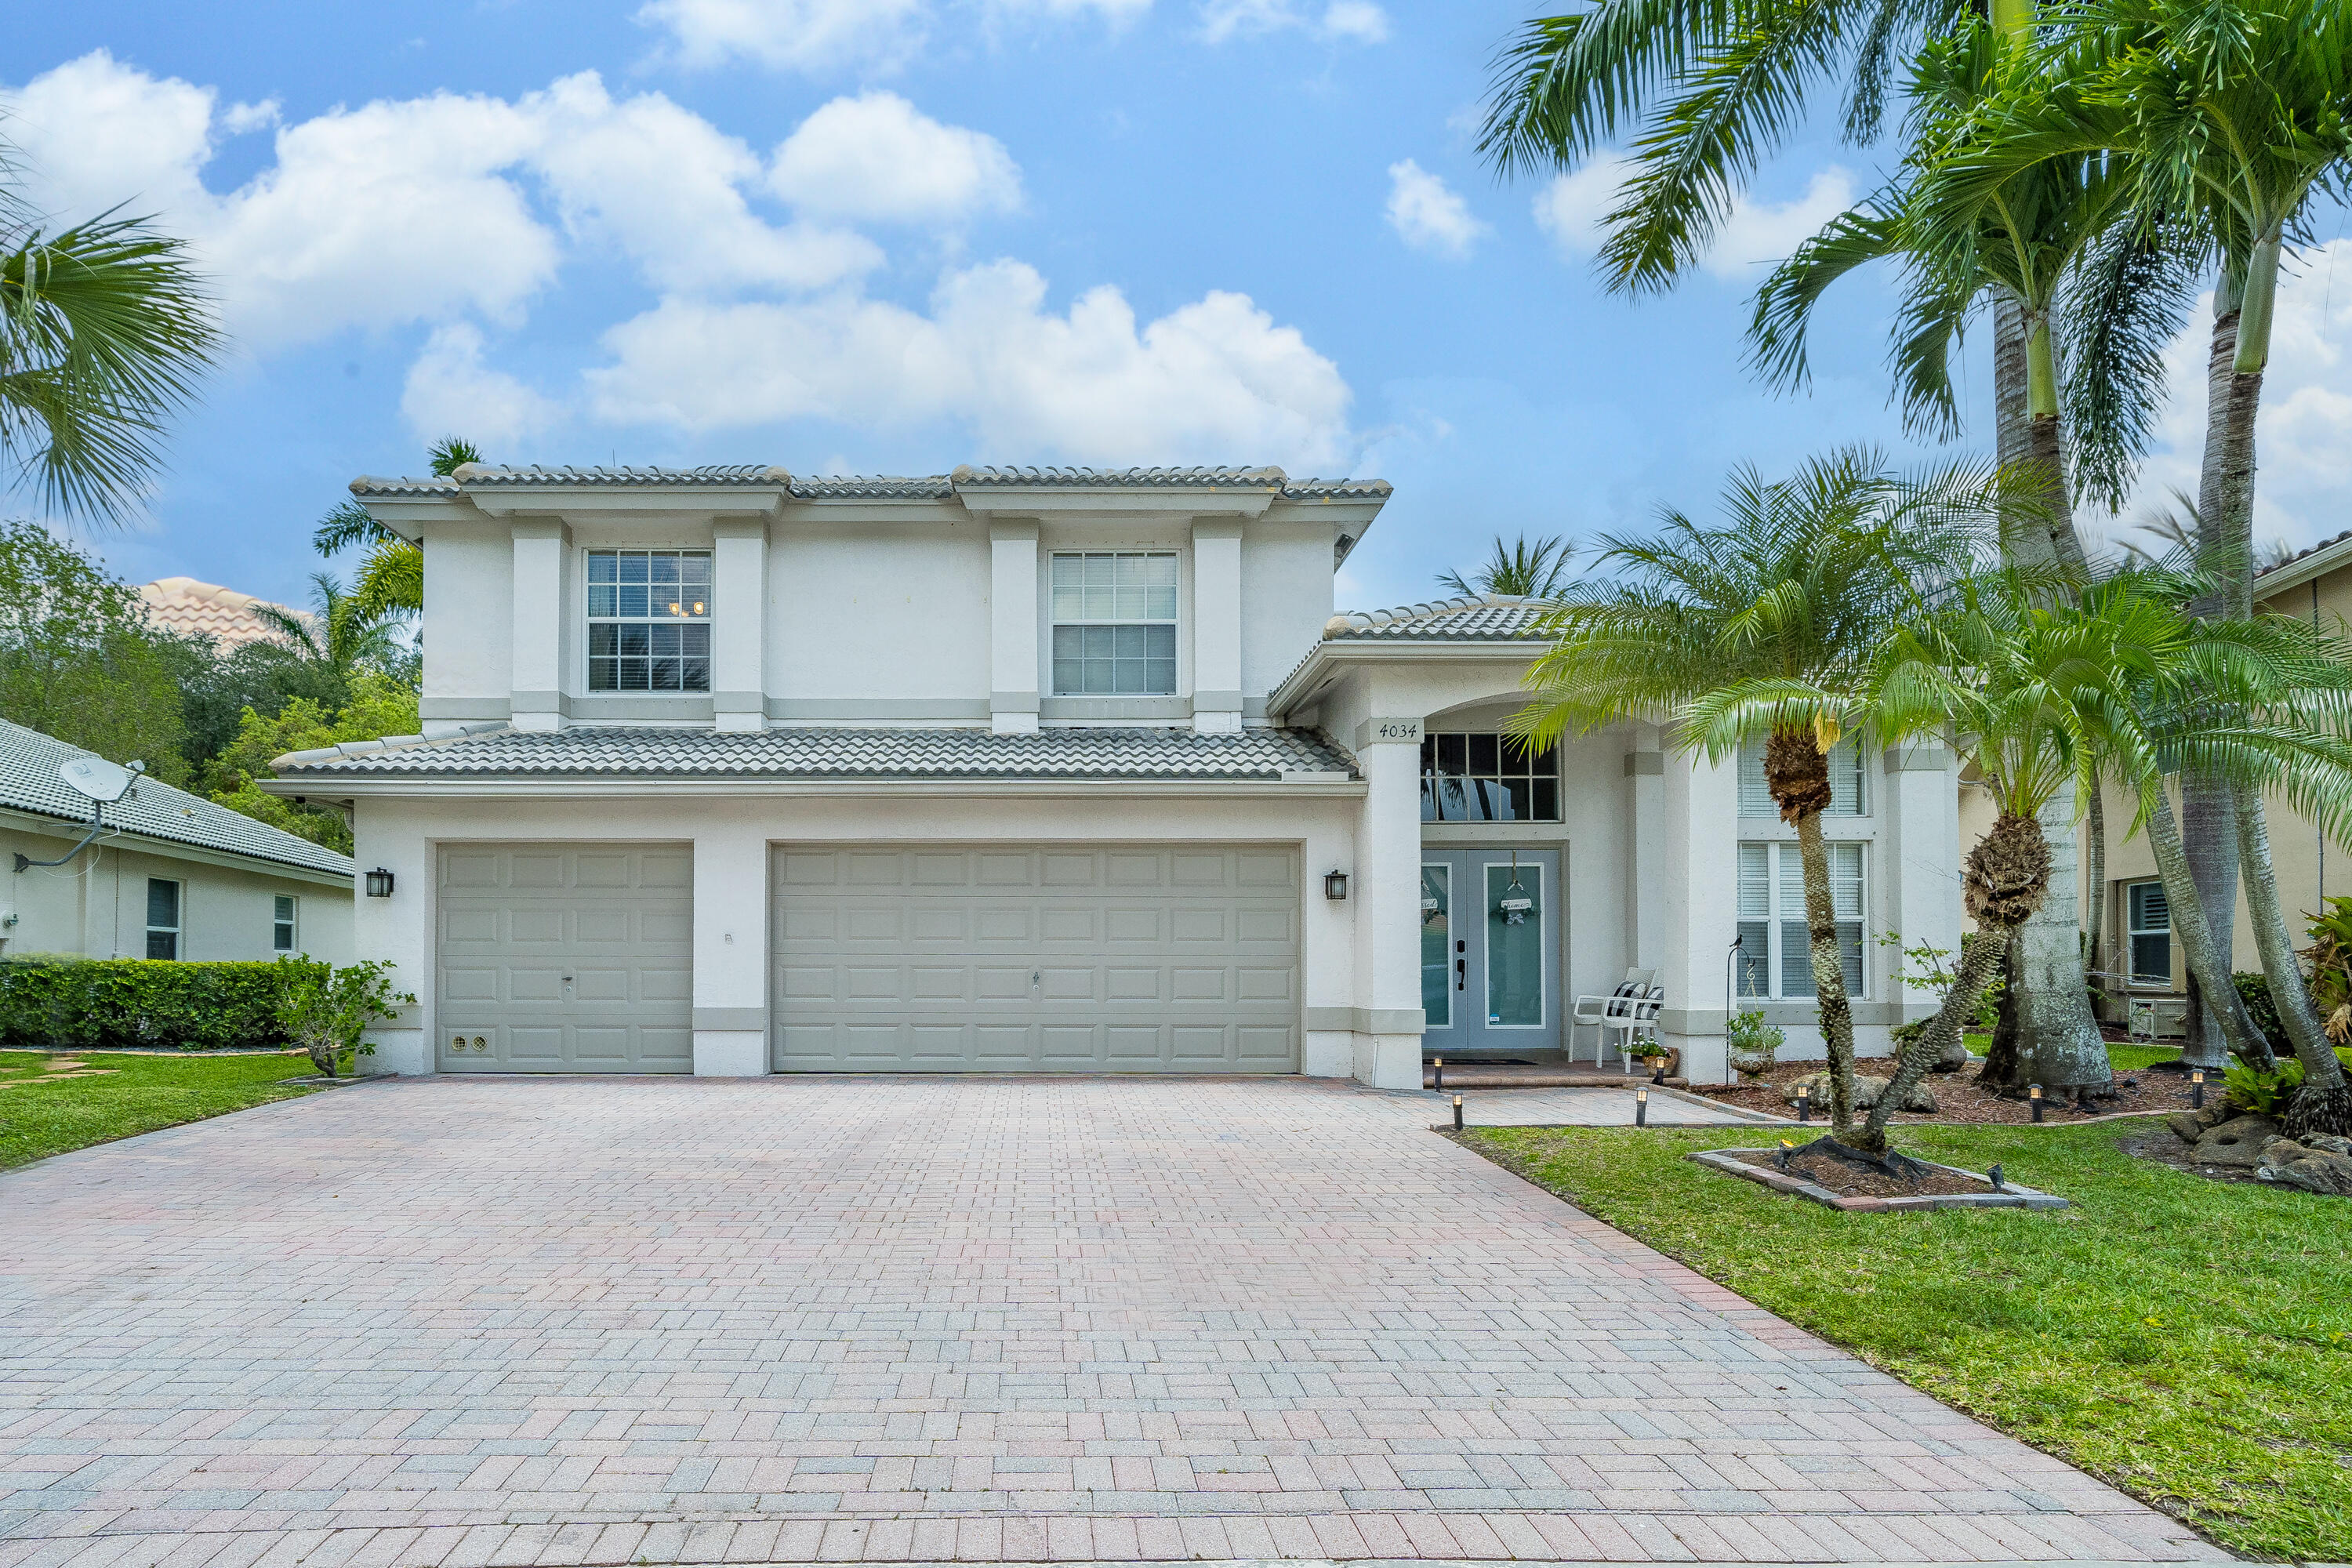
pixel 730 951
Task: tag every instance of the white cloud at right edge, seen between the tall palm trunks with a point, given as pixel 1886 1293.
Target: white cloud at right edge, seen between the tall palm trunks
pixel 2304 434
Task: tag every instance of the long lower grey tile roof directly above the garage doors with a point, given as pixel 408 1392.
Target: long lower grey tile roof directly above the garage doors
pixel 836 753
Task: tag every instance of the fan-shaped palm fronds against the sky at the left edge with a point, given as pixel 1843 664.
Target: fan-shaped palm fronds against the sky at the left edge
pixel 105 330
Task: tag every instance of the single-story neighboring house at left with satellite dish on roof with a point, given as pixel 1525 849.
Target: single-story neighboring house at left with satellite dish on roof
pixel 171 876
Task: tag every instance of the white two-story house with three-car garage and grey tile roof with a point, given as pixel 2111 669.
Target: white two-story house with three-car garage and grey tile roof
pixel 740 772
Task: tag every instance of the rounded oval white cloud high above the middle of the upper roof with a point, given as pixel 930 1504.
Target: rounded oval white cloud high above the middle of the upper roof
pixel 878 156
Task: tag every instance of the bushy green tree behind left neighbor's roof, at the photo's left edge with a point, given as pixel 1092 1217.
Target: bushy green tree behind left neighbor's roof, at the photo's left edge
pixel 79 659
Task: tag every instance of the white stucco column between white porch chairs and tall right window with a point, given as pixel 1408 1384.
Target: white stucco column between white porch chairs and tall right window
pixel 1699 883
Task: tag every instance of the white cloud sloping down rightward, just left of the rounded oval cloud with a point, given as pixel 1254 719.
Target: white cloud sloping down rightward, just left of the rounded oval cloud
pixel 664 187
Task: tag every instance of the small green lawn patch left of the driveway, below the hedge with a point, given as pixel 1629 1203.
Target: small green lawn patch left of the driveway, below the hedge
pixel 128 1094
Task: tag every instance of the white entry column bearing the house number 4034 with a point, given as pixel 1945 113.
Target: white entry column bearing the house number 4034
pixel 1389 1017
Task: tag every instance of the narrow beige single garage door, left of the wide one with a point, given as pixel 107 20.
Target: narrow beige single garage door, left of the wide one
pixel 566 958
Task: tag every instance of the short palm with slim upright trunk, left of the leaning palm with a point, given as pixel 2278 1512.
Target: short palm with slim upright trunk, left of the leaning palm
pixel 1765 629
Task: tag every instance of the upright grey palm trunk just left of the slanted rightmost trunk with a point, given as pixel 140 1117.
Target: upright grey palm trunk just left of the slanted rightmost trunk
pixel 2207 808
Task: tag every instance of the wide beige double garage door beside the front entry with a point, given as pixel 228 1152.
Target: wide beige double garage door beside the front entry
pixel 1036 960
